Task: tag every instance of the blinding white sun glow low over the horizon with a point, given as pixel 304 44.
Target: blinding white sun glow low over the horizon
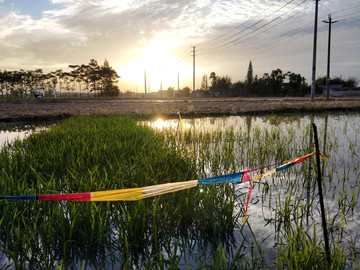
pixel 160 66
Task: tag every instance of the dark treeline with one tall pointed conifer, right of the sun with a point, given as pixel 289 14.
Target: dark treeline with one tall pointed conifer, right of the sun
pixel 276 83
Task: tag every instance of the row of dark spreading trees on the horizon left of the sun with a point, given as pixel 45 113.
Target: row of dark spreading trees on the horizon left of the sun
pixel 99 79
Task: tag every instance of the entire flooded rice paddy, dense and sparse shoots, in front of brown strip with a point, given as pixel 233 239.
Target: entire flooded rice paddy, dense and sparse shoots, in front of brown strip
pixel 197 228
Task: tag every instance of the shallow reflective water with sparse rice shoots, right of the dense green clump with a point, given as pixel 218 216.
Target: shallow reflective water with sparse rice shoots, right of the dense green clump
pixel 243 143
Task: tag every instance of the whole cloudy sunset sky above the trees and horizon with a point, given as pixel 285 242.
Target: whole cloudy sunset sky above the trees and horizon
pixel 164 38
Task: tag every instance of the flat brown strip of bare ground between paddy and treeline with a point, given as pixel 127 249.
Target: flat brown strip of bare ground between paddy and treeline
pixel 15 110
